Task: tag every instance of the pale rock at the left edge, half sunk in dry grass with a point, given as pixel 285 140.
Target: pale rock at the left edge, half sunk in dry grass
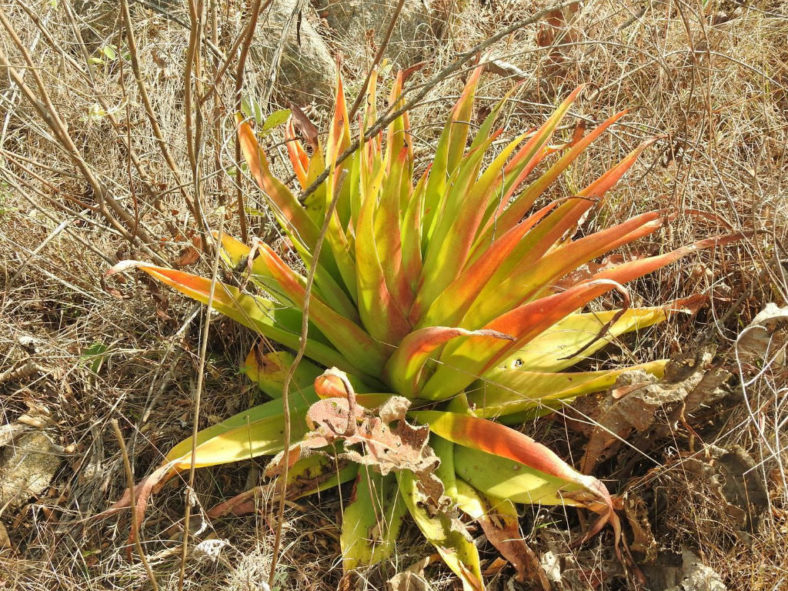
pixel 27 466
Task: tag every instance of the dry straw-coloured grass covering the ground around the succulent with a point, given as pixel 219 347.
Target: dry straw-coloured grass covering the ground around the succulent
pixel 711 77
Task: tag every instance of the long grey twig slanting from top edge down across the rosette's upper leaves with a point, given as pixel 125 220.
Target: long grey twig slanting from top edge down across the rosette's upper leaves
pixel 453 67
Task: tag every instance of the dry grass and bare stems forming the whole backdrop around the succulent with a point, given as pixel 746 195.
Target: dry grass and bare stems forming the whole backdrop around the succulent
pixel 94 170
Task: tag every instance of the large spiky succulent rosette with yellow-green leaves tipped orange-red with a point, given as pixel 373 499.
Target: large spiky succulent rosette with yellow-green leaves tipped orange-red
pixel 449 302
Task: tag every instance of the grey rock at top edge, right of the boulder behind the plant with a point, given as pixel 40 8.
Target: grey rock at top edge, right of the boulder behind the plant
pixel 350 20
